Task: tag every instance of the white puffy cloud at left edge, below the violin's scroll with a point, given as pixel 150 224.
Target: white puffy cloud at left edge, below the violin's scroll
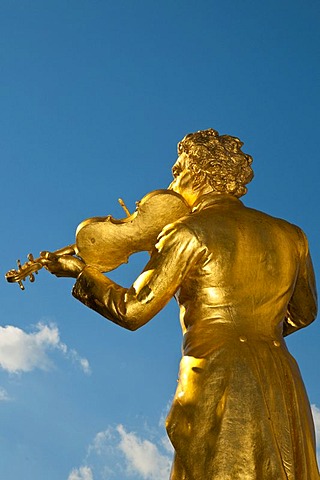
pixel 23 352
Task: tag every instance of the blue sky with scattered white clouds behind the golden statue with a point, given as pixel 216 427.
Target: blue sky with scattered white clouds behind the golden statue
pixel 94 98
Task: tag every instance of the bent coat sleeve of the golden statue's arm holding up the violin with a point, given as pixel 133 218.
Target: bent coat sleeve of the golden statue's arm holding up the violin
pixel 174 254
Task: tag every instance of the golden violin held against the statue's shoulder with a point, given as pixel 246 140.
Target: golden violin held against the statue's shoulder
pixel 105 242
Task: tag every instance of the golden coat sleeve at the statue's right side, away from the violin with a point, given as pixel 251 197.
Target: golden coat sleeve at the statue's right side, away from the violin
pixel 302 308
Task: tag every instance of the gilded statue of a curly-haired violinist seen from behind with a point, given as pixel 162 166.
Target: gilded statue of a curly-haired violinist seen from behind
pixel 243 281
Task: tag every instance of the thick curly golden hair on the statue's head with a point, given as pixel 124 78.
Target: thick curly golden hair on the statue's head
pixel 216 162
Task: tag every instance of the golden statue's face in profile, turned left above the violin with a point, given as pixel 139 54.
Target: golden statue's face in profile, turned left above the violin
pixel 182 182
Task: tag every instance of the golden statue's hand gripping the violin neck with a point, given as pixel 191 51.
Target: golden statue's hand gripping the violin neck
pixel 62 266
